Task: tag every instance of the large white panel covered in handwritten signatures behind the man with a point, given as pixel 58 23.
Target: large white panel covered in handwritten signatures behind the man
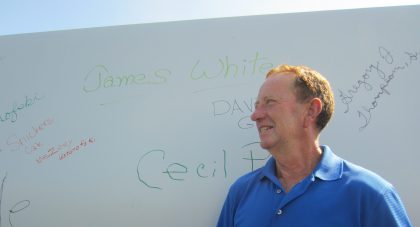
pixel 173 117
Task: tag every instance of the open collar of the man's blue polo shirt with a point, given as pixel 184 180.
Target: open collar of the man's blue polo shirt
pixel 329 168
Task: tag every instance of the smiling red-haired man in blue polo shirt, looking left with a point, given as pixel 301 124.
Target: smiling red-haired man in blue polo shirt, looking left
pixel 303 183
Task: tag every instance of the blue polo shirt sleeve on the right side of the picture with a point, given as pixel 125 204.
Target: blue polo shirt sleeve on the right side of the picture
pixel 389 212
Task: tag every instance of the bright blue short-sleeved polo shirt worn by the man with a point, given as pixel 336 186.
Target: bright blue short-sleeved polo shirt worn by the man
pixel 337 194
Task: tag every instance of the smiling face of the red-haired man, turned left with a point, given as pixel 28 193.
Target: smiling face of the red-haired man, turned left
pixel 278 114
